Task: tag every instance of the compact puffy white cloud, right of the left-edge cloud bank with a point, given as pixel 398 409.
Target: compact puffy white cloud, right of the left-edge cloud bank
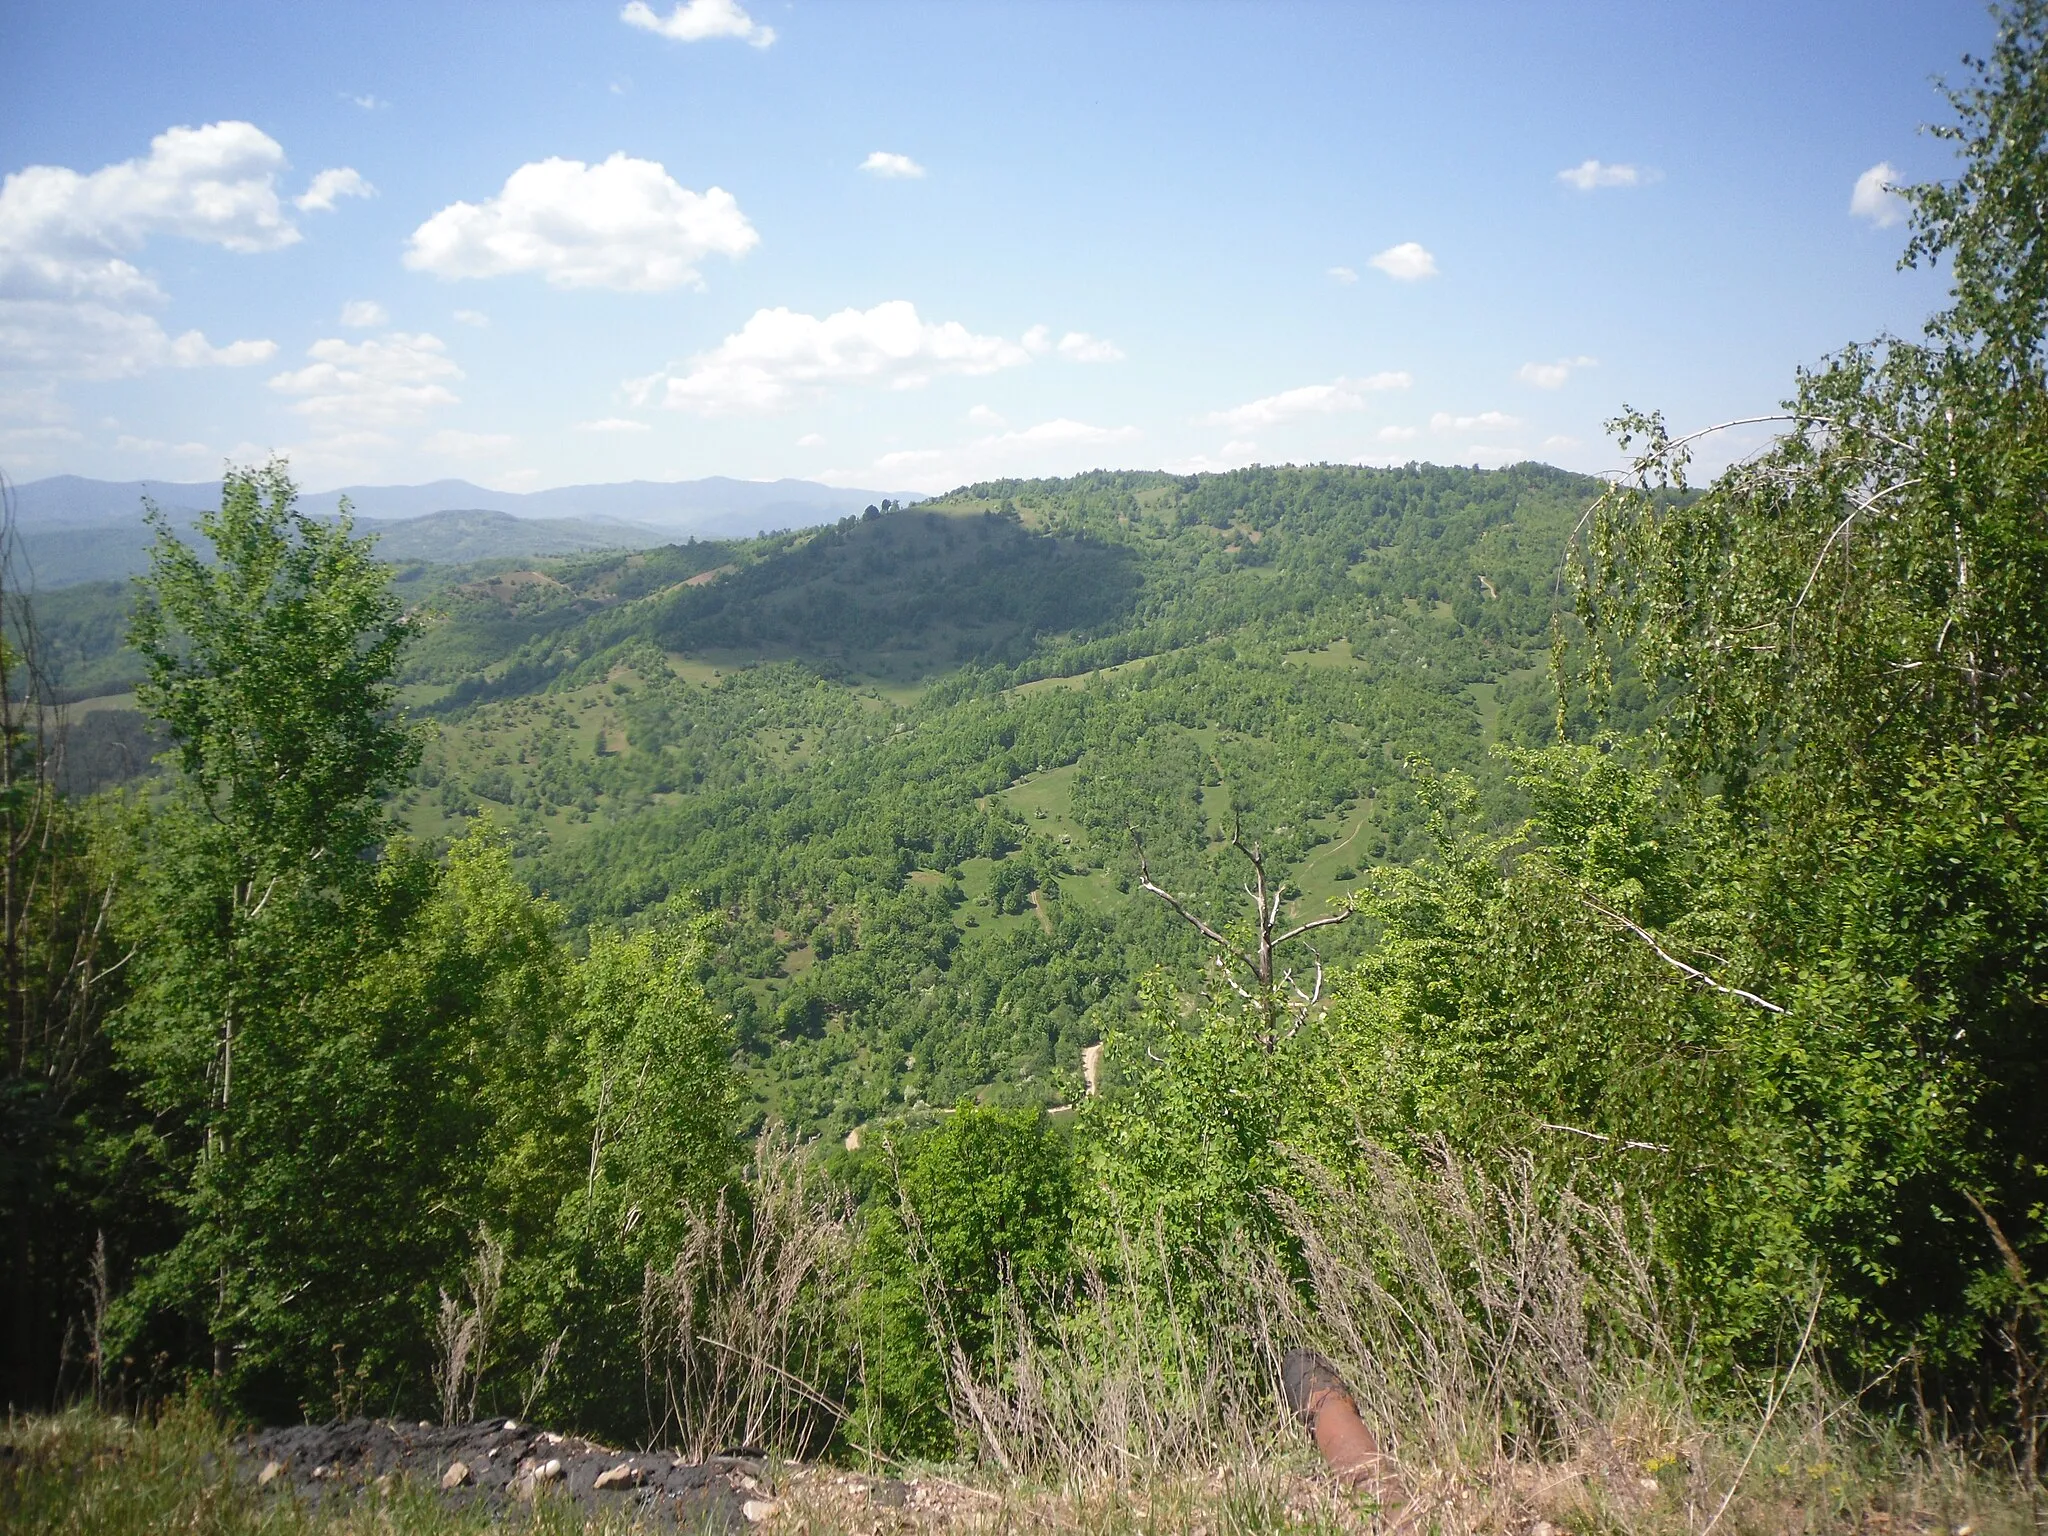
pixel 624 224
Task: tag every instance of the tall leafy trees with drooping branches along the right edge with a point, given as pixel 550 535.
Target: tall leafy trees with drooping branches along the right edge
pixel 1854 636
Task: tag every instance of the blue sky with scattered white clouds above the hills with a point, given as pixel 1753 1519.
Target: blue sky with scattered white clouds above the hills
pixel 914 245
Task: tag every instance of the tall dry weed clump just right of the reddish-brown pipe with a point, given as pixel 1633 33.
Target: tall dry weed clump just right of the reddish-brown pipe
pixel 1476 1310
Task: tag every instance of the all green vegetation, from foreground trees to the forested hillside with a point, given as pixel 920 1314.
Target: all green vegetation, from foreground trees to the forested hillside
pixel 1691 847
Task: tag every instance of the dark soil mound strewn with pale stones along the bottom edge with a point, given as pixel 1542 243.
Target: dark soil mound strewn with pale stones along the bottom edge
pixel 501 1465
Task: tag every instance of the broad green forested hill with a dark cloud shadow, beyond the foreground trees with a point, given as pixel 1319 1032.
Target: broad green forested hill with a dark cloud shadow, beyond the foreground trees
pixel 902 759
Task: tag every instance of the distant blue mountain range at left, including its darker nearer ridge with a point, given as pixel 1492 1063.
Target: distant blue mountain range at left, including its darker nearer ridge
pixel 77 529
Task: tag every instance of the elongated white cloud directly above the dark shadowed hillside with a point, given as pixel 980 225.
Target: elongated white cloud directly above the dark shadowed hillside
pixel 781 357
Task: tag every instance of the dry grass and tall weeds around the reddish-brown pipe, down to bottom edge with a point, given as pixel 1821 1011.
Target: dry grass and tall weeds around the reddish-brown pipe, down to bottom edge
pixel 1506 1340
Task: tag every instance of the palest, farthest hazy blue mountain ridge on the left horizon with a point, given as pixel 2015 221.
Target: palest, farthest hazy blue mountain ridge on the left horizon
pixel 708 509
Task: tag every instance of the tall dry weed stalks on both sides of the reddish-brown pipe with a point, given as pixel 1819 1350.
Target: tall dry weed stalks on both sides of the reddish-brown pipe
pixel 1478 1314
